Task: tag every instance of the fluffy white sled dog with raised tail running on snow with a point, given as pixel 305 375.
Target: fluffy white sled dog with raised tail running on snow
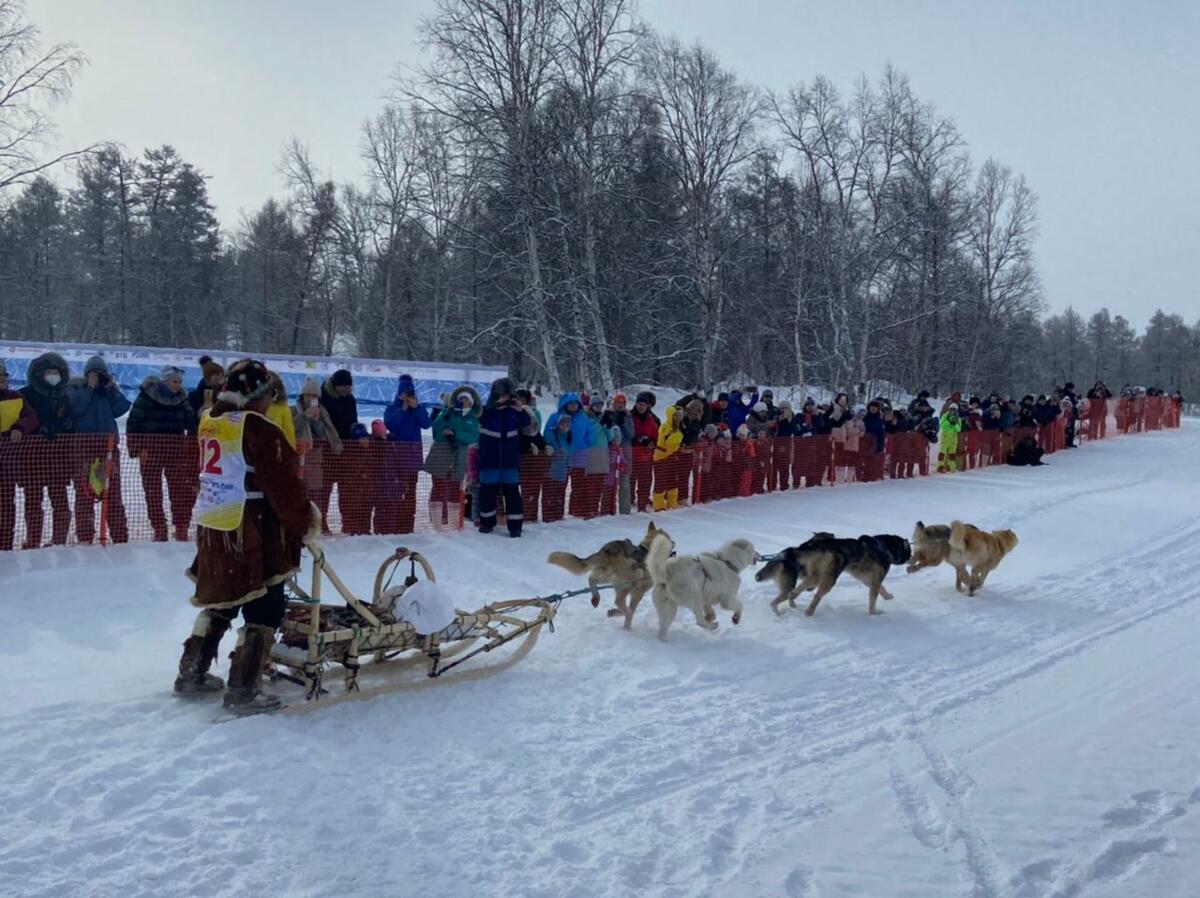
pixel 698 583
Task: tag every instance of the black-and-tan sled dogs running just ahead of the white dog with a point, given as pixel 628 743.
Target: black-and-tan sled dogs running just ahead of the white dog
pixel 818 564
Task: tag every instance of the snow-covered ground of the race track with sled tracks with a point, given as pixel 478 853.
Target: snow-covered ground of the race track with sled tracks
pixel 1040 740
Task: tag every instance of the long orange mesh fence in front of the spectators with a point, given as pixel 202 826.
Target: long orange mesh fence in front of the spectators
pixel 116 489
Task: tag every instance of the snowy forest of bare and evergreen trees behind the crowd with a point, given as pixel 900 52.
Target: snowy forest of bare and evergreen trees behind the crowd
pixel 563 191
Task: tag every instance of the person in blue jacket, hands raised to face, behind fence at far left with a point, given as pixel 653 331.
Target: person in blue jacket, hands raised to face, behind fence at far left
pixel 97 403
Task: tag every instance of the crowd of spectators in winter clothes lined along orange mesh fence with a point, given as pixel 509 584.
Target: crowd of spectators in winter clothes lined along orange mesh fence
pixel 495 460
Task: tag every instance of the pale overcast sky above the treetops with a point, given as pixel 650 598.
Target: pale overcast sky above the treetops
pixel 1095 101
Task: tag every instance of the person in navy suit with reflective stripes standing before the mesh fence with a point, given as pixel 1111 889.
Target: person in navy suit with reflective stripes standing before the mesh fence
pixel 500 457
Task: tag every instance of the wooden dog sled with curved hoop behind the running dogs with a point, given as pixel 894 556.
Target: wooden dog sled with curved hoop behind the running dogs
pixel 373 646
